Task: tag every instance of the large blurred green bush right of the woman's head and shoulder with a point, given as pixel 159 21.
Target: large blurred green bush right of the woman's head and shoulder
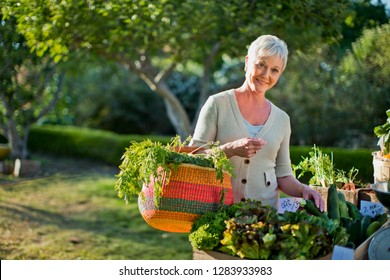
pixel 338 103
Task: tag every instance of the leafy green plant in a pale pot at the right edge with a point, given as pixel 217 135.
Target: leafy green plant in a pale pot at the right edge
pixel 381 158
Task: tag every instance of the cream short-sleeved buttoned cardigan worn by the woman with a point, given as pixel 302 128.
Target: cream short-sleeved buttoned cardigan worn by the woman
pixel 220 120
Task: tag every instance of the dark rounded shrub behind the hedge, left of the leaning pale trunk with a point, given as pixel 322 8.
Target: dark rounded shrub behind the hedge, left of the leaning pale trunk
pixel 102 94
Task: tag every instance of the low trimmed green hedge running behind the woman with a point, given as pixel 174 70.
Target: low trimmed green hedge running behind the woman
pixel 109 147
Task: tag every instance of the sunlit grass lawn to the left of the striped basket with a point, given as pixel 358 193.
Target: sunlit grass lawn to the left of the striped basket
pixel 72 212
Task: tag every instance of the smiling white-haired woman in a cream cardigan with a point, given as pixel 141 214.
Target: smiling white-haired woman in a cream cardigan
pixel 252 131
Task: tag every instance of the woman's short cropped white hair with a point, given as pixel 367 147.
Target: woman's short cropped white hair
pixel 266 46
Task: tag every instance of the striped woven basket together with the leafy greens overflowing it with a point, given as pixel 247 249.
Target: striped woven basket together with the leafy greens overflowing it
pixel 174 184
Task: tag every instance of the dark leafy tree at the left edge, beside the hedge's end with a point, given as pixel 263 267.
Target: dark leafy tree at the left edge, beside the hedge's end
pixel 29 87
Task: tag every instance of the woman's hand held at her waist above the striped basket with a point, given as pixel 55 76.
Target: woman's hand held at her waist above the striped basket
pixel 244 147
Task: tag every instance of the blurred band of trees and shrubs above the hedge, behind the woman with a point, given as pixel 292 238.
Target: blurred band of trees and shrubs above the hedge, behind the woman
pixel 146 67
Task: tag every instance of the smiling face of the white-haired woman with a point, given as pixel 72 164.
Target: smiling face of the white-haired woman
pixel 263 73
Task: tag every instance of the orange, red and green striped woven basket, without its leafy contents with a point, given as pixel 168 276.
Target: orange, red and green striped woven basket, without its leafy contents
pixel 191 191
